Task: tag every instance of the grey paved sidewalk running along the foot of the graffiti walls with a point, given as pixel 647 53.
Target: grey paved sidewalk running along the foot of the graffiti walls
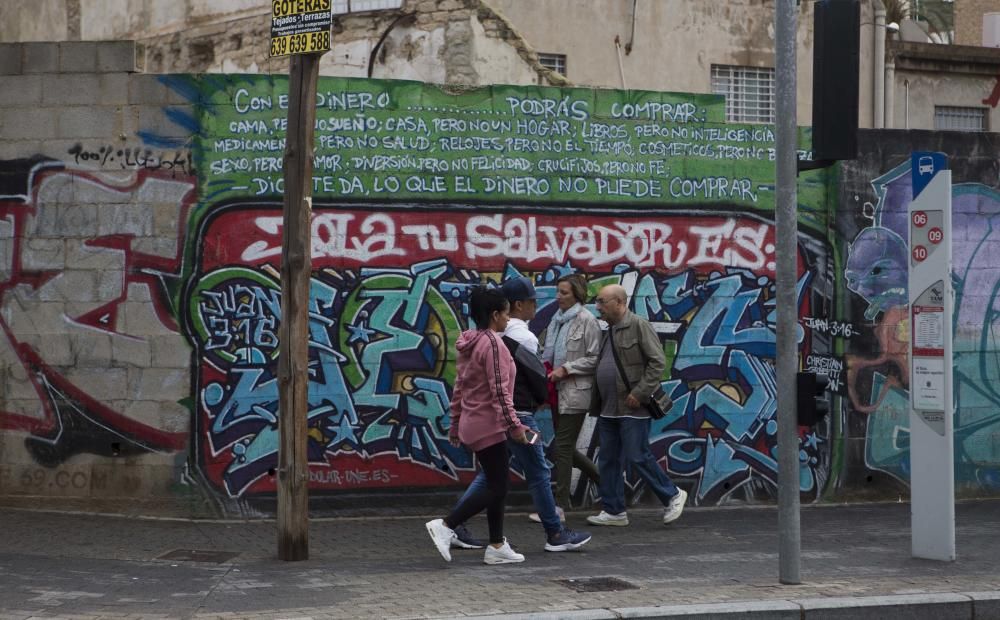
pixel 712 563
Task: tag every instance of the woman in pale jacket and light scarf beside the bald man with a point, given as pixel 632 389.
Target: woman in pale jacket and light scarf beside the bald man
pixel 572 344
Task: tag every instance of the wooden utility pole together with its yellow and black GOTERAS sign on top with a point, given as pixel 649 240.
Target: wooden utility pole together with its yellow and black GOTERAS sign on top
pixel 302 30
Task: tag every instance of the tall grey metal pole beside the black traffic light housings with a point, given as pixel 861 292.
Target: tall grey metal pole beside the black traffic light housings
pixel 786 172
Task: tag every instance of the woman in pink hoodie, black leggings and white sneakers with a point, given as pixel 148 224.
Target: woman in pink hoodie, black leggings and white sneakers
pixel 482 415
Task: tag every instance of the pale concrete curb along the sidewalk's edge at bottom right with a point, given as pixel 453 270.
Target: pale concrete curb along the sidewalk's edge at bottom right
pixel 929 606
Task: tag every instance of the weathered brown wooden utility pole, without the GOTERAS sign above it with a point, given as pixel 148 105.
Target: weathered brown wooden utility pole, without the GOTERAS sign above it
pixel 293 335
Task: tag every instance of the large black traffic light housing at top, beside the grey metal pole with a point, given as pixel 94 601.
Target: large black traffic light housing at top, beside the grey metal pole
pixel 835 81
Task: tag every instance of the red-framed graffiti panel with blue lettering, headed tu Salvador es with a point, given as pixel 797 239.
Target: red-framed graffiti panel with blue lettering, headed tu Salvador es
pixel 383 336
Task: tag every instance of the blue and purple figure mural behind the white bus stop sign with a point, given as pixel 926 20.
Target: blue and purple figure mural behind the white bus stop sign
pixel 878 384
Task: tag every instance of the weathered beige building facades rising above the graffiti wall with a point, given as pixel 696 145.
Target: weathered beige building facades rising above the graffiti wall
pixel 665 45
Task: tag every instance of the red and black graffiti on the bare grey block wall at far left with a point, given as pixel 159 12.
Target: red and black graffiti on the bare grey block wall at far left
pixel 96 370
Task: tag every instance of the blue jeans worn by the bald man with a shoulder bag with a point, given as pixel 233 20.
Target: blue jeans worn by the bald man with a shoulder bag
pixel 624 442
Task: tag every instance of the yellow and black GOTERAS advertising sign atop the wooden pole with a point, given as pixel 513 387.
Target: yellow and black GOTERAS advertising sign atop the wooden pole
pixel 300 26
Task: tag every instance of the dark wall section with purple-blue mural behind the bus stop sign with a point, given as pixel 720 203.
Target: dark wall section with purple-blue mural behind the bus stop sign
pixel 874 197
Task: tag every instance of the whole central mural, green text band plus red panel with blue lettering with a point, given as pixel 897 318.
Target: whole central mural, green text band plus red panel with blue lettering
pixel 420 195
